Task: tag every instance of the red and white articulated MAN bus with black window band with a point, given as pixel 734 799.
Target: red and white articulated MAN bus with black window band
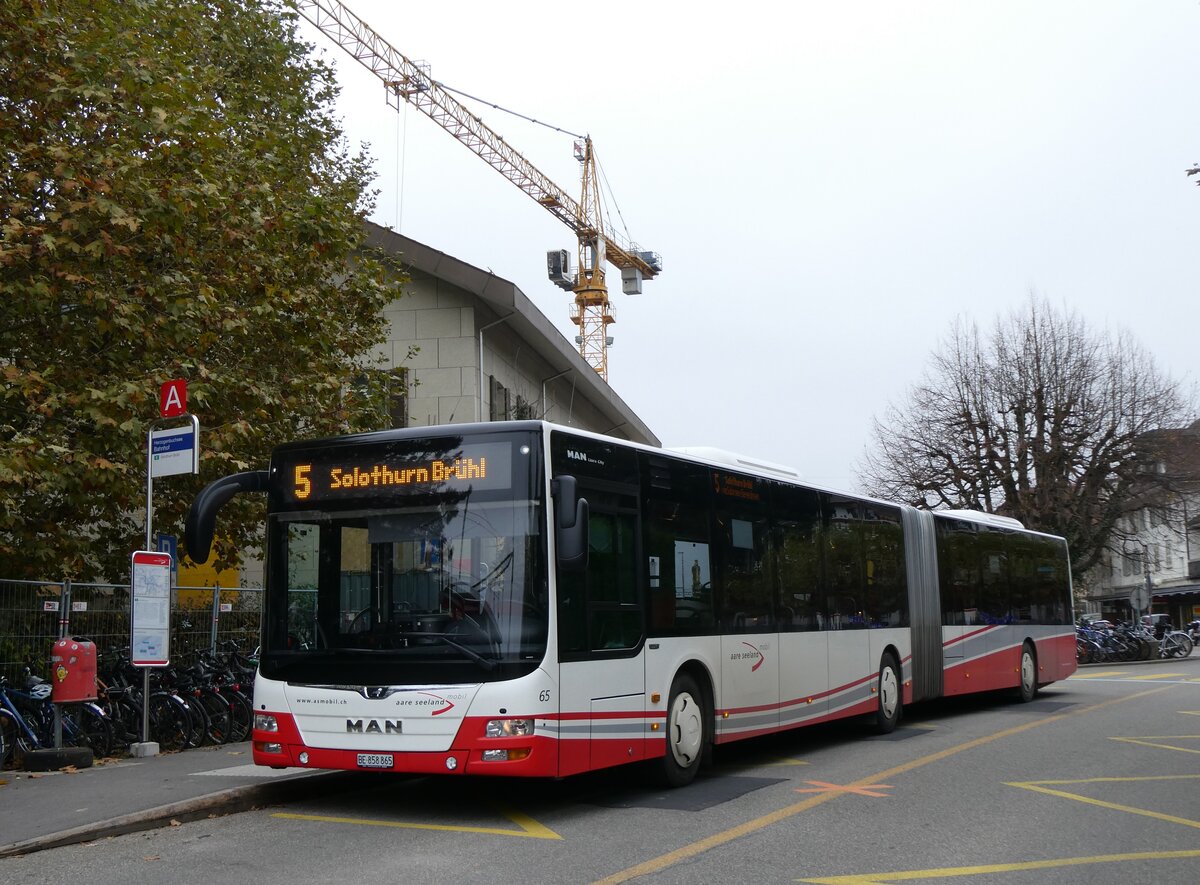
pixel 530 600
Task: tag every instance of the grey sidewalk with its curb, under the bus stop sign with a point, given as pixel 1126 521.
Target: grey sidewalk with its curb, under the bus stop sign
pixel 56 809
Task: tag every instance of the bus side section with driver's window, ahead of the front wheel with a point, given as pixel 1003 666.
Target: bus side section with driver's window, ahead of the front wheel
pixel 601 639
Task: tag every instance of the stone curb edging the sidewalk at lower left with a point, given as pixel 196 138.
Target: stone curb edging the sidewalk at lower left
pixel 230 802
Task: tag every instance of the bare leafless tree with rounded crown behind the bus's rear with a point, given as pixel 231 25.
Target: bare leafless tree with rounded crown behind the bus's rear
pixel 1042 419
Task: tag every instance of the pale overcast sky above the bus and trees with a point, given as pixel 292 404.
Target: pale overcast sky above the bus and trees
pixel 830 185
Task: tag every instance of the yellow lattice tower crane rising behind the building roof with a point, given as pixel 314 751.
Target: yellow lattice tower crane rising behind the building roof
pixel 409 82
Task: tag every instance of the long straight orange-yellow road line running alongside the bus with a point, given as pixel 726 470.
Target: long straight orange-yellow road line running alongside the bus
pixel 681 854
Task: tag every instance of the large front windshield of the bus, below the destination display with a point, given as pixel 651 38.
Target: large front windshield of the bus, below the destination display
pixel 422 588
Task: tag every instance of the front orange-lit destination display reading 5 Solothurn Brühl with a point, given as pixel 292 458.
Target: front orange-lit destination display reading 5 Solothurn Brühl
pixel 350 474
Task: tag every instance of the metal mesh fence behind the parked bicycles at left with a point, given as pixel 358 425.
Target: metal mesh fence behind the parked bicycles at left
pixel 35 615
